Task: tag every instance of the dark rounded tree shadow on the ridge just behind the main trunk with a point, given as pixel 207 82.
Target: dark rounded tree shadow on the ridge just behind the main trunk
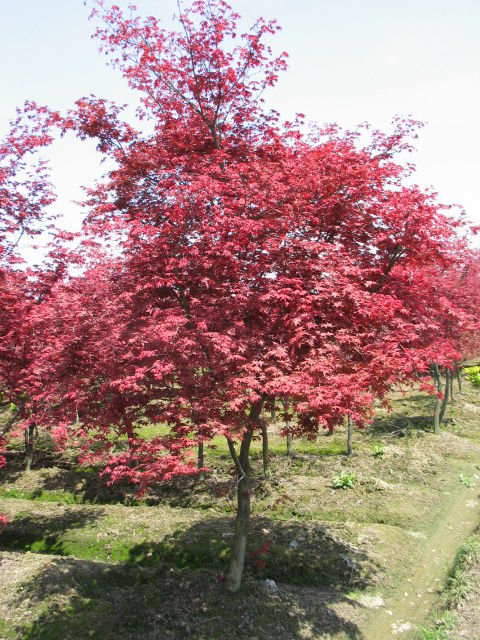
pixel 292 553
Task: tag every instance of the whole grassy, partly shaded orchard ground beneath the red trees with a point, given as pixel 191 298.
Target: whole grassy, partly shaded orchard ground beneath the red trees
pixel 83 560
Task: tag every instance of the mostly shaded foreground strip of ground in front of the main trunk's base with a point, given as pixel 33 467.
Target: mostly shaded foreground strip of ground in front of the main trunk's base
pixel 83 599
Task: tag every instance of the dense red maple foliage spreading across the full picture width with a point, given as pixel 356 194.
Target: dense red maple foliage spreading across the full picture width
pixel 250 261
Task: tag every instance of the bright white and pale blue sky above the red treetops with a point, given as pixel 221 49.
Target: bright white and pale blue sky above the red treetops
pixel 350 61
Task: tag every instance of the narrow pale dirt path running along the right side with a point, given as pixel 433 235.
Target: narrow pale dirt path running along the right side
pixel 406 610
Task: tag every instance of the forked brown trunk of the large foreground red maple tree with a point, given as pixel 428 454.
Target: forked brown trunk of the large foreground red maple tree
pixel 234 575
